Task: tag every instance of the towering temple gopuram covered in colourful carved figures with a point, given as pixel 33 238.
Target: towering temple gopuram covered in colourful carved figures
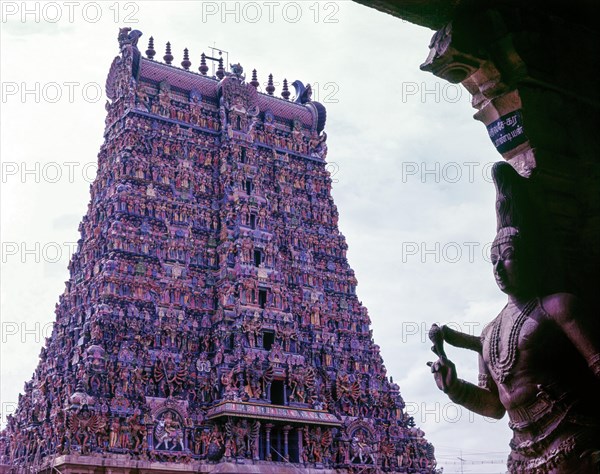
pixel 210 322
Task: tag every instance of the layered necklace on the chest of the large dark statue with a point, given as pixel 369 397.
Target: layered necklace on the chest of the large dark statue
pixel 502 366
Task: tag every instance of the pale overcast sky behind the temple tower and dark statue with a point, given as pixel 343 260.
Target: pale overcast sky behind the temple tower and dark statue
pixel 409 163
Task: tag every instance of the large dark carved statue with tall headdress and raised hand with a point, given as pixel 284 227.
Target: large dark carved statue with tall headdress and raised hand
pixel 539 358
